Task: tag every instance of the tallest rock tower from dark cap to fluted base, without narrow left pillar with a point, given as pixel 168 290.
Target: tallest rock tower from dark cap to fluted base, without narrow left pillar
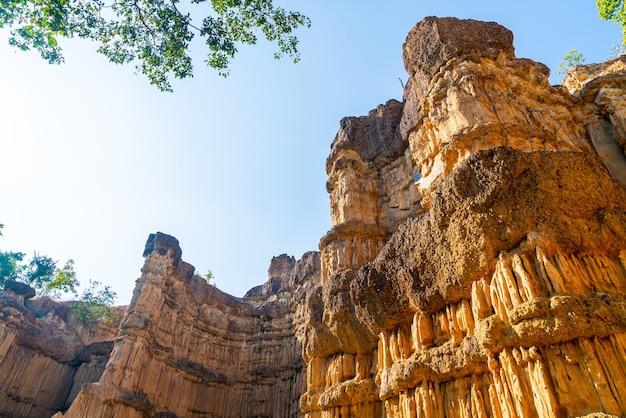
pixel 507 297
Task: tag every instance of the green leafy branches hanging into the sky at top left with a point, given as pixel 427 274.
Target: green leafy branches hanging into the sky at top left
pixel 154 34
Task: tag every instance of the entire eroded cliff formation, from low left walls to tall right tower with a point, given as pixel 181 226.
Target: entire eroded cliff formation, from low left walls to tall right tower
pixel 476 266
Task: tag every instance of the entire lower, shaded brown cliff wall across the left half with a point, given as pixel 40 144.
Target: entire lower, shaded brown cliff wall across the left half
pixel 182 349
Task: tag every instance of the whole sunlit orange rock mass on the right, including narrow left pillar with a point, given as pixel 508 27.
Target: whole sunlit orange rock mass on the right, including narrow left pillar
pixel 502 290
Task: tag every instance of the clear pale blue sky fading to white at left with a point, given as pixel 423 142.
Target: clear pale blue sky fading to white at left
pixel 93 158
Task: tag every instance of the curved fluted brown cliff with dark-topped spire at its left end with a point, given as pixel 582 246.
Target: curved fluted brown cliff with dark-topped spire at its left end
pixel 186 349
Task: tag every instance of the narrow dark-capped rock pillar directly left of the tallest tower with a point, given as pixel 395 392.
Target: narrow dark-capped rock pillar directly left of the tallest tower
pixel 371 187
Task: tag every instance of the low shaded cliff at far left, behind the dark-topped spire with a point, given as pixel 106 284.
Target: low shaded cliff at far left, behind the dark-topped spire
pixel 45 354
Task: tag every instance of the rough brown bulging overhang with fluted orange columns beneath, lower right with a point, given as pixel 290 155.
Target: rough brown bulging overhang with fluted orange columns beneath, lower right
pixel 516 302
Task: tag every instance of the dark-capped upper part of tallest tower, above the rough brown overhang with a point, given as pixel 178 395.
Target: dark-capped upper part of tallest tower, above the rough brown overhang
pixel 468 92
